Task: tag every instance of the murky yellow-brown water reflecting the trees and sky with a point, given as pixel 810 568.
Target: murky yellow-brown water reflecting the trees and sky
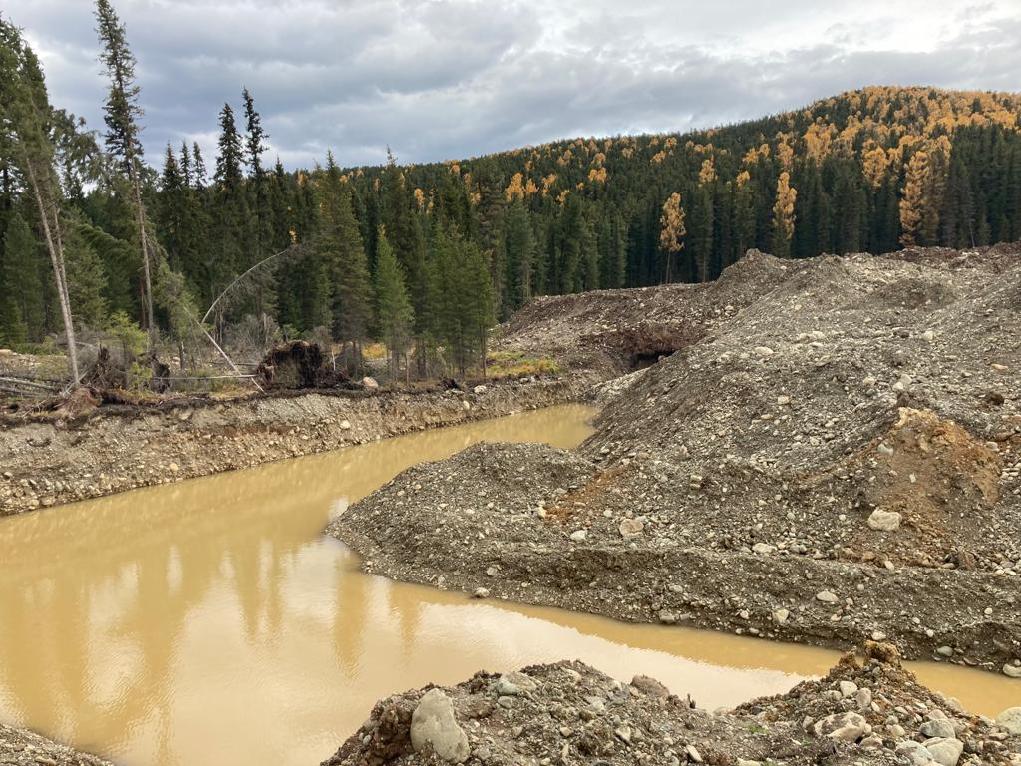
pixel 210 623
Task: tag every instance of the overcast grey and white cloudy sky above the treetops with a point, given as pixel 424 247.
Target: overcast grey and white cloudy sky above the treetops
pixel 449 79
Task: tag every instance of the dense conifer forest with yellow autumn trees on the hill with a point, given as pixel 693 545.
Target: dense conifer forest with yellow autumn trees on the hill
pixel 427 258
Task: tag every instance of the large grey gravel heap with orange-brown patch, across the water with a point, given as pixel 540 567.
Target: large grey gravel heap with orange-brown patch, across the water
pixel 835 456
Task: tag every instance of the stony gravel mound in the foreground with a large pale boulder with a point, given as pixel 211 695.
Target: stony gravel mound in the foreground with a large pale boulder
pixel 868 710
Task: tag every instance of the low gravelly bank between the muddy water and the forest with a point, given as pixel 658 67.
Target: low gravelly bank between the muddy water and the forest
pixel 117 449
